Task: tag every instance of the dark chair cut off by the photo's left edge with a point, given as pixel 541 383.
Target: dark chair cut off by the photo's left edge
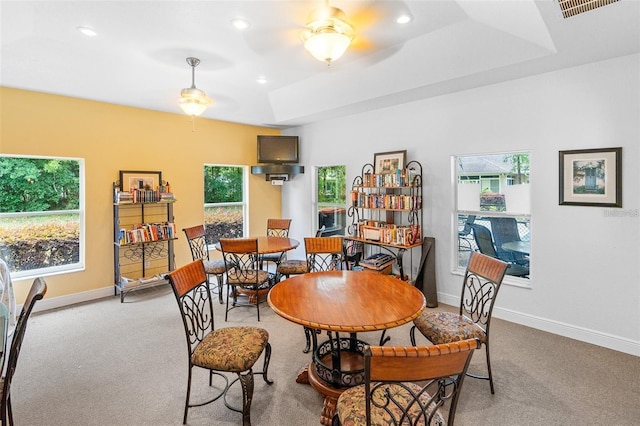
pixel 36 292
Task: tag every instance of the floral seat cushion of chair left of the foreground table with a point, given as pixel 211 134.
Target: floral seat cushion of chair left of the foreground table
pixel 233 349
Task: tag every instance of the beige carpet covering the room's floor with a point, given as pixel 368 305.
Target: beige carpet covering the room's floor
pixel 106 363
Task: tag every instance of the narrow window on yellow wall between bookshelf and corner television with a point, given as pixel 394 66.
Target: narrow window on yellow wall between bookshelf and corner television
pixel 225 202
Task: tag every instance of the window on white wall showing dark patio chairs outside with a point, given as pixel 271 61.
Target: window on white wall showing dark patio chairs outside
pixel 492 210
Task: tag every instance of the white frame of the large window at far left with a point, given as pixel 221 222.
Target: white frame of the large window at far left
pixel 81 212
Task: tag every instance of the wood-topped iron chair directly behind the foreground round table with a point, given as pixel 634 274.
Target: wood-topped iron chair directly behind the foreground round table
pixel 323 254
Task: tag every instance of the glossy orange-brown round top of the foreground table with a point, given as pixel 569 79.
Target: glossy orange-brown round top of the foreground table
pixel 346 301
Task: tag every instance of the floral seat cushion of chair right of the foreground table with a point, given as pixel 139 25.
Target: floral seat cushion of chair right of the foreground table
pixel 444 327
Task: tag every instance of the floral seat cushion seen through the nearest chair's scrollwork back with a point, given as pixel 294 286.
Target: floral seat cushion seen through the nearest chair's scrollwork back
pixel 351 406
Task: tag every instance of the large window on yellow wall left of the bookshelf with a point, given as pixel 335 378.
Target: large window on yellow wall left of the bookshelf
pixel 41 215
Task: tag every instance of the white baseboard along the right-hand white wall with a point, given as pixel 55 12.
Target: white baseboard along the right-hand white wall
pixel 609 341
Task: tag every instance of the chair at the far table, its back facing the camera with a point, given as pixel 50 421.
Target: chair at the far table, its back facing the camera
pixel 243 272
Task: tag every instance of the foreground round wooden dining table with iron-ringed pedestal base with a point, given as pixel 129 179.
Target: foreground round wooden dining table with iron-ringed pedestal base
pixel 343 302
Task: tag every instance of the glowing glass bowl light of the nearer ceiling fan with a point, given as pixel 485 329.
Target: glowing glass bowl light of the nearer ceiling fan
pixel 327 35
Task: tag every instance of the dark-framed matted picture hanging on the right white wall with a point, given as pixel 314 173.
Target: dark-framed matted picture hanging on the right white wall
pixel 591 177
